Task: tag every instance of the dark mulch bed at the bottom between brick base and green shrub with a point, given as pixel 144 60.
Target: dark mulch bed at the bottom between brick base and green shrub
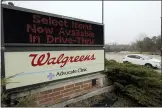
pixel 105 100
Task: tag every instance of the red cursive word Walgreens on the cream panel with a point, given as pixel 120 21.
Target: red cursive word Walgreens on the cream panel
pixel 46 59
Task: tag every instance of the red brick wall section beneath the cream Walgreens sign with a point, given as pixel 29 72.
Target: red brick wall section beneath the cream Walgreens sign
pixel 53 96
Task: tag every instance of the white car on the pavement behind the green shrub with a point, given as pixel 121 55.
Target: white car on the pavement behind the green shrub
pixel 140 59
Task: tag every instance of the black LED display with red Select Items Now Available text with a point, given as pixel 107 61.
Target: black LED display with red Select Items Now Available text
pixel 23 27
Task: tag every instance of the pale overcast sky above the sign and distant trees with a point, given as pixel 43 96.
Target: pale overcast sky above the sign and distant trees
pixel 124 20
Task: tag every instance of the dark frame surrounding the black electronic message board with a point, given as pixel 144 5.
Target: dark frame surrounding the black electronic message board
pixel 56 16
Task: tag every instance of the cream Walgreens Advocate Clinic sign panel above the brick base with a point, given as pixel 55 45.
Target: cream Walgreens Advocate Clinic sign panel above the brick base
pixel 42 66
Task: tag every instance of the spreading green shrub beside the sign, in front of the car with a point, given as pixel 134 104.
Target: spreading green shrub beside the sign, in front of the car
pixel 138 82
